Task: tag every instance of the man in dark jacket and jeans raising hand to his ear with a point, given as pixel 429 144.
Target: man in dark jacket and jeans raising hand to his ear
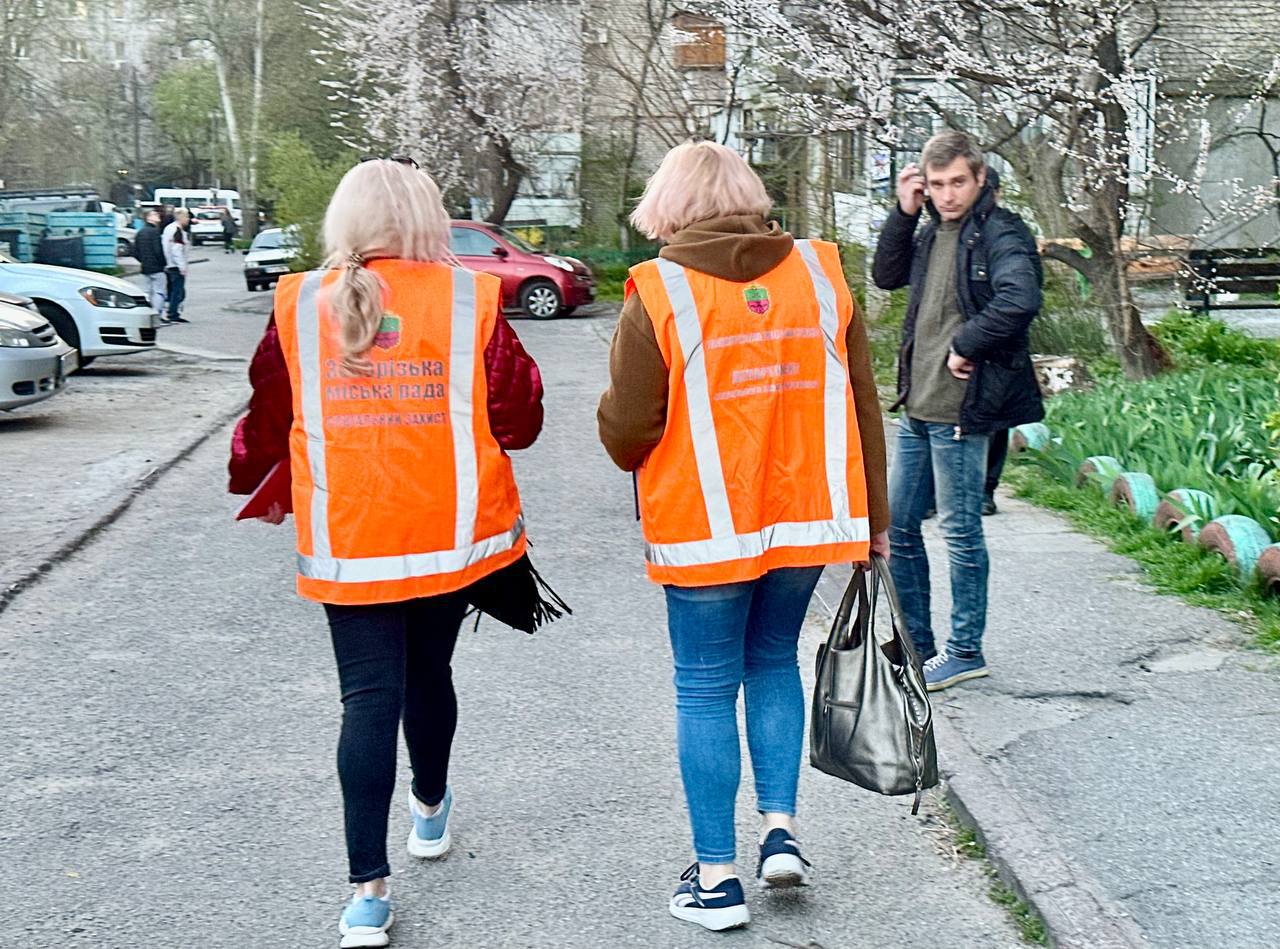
pixel 964 372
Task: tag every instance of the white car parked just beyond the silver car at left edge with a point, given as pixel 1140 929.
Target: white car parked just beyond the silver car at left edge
pixel 97 314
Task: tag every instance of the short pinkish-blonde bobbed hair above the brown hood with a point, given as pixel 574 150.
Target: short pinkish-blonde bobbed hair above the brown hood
pixel 698 181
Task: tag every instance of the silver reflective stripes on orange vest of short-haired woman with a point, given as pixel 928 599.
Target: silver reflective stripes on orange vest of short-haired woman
pixel 725 544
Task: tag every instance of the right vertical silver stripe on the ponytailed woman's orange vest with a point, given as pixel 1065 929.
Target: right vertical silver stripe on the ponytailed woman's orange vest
pixel 463 355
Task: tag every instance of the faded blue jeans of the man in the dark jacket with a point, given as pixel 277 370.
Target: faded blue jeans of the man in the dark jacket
pixel 931 460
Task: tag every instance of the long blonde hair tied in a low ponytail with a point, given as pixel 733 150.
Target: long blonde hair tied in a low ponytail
pixel 381 209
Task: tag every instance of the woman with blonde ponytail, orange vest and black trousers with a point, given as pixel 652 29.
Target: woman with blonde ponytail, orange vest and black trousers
pixel 390 389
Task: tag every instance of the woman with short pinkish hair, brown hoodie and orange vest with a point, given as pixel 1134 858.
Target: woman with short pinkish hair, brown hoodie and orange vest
pixel 742 394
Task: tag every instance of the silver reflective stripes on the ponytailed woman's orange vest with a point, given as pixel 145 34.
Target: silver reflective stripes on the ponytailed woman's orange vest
pixel 322 565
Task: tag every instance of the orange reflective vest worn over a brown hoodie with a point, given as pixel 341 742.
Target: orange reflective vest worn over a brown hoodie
pixel 761 466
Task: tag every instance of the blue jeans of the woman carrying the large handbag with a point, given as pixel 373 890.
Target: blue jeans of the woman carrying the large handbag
pixel 726 637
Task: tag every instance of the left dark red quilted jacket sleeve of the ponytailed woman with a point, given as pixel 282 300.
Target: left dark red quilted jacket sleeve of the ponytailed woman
pixel 262 437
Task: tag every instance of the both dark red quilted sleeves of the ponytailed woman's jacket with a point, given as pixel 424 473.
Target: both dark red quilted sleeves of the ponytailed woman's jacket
pixel 262 437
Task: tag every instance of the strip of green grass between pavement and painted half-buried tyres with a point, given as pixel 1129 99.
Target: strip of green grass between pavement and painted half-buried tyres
pixel 1169 565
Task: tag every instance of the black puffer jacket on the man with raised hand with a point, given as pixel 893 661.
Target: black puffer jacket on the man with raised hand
pixel 999 280
